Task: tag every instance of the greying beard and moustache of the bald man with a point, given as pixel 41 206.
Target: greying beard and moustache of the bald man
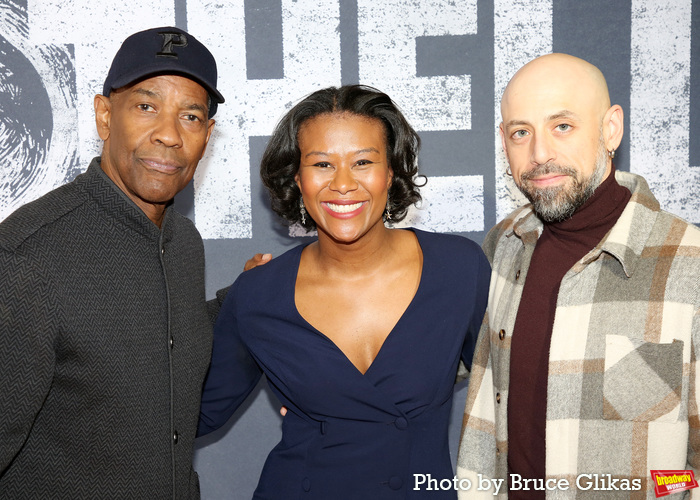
pixel 558 203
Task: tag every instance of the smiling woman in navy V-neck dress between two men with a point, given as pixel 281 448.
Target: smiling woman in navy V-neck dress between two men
pixel 361 331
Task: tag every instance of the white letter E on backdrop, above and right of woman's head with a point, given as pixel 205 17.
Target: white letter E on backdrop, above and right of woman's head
pixel 387 60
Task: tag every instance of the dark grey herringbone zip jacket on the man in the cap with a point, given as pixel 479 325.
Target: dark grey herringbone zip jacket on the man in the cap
pixel 104 343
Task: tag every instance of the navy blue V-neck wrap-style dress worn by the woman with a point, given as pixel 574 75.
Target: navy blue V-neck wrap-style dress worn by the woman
pixel 348 435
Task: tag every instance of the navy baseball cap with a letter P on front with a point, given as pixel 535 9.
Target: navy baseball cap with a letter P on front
pixel 164 51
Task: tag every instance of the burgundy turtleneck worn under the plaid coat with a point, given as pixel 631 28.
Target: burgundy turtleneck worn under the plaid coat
pixel 560 246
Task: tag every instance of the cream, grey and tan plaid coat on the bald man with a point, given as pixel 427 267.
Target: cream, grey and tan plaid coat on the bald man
pixel 622 394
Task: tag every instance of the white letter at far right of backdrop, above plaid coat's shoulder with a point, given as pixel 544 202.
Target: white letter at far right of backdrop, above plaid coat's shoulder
pixel 660 105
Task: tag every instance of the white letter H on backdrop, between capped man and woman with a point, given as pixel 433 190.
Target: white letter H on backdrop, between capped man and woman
pixel 311 46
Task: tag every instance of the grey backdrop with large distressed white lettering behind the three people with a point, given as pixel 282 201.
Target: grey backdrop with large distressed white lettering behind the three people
pixel 445 62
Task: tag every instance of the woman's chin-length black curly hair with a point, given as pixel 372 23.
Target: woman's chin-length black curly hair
pixel 280 162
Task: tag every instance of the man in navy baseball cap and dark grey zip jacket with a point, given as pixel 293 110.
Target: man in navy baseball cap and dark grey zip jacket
pixel 104 333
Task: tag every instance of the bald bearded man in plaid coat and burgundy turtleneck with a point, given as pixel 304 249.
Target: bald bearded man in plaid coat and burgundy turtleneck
pixel 584 376
